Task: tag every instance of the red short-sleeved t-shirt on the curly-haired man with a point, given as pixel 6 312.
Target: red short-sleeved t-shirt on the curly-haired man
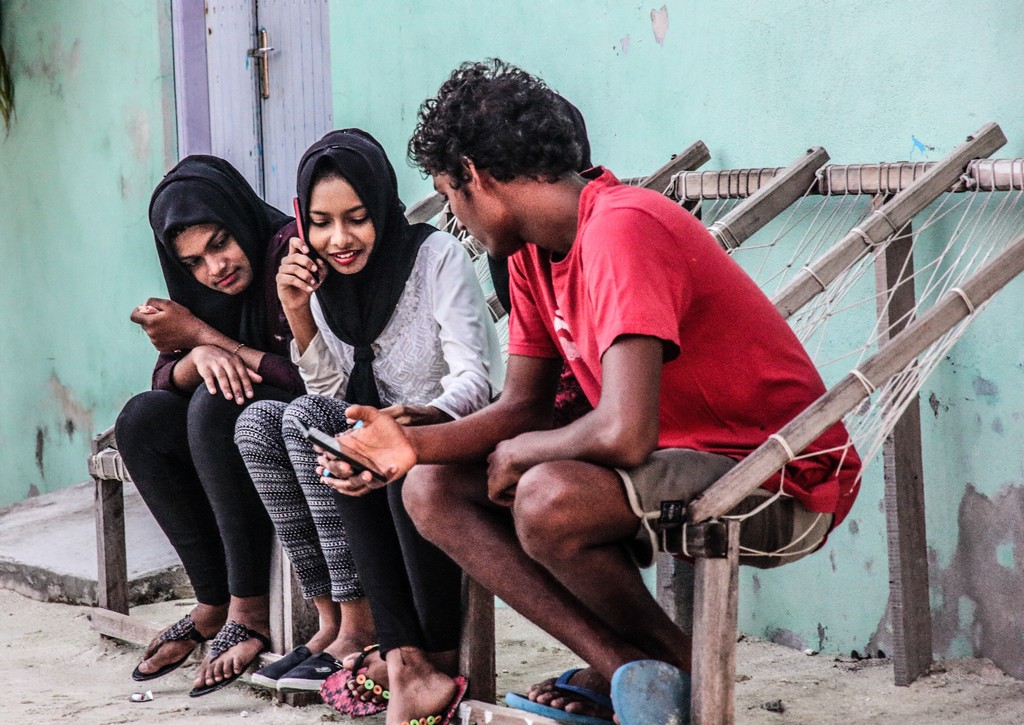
pixel 735 371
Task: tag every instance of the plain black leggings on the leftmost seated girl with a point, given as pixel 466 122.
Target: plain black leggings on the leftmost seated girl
pixel 181 453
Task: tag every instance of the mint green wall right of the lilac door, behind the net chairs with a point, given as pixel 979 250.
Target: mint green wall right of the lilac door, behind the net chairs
pixel 759 82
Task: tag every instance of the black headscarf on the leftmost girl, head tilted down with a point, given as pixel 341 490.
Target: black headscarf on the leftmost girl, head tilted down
pixel 206 190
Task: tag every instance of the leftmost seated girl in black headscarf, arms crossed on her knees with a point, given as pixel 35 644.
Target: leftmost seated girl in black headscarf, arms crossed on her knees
pixel 223 340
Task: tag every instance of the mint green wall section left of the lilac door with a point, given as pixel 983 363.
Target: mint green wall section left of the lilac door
pixel 95 127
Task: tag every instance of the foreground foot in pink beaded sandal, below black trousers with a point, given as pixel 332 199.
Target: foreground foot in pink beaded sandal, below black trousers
pixel 418 691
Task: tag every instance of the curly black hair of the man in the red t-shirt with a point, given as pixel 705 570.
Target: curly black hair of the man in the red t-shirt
pixel 504 120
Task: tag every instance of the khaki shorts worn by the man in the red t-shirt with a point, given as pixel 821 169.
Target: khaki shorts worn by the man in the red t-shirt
pixel 784 529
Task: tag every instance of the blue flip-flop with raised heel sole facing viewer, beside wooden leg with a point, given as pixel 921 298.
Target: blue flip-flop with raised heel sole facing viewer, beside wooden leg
pixel 651 693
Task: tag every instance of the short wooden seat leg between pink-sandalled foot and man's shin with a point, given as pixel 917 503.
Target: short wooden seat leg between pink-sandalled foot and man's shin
pixel 477 654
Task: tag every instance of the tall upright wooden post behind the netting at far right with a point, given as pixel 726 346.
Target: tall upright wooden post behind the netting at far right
pixel 905 483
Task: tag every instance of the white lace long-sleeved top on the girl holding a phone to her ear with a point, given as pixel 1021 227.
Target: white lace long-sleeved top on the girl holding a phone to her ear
pixel 440 349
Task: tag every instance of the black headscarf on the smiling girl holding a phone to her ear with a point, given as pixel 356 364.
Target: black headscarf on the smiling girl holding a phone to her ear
pixel 359 307
